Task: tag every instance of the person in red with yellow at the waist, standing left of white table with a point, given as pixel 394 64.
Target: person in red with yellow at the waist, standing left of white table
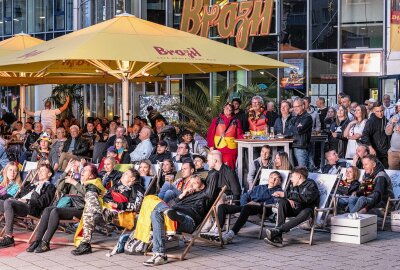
pixel 223 132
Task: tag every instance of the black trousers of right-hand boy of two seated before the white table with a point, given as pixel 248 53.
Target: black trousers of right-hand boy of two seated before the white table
pixel 285 210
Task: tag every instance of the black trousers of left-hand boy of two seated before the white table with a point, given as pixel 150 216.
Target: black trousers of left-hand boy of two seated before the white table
pixel 245 211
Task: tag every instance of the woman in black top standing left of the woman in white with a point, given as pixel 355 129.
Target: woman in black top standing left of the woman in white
pixel 337 140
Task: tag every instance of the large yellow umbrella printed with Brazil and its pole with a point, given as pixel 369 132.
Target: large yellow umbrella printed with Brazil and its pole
pixel 127 47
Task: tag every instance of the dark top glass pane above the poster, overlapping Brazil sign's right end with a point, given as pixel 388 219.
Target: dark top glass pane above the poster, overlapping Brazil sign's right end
pixel 294 25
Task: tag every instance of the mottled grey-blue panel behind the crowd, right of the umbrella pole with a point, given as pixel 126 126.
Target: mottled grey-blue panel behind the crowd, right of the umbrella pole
pixel 159 102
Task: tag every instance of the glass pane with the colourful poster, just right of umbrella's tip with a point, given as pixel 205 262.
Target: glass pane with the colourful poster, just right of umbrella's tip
pixel 293 80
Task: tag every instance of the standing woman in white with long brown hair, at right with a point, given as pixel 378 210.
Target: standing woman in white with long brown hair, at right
pixel 354 130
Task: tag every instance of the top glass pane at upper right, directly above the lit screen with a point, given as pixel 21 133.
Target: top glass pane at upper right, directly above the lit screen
pixel 362 23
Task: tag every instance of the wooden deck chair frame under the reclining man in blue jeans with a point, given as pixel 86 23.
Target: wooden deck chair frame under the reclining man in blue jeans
pixel 196 234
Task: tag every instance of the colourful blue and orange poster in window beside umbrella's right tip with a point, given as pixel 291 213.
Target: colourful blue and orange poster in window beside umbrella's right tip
pixel 293 78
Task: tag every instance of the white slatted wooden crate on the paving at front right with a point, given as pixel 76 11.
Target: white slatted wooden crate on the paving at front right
pixel 354 231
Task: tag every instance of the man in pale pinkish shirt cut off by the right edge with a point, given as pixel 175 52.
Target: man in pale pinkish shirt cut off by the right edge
pixel 393 129
